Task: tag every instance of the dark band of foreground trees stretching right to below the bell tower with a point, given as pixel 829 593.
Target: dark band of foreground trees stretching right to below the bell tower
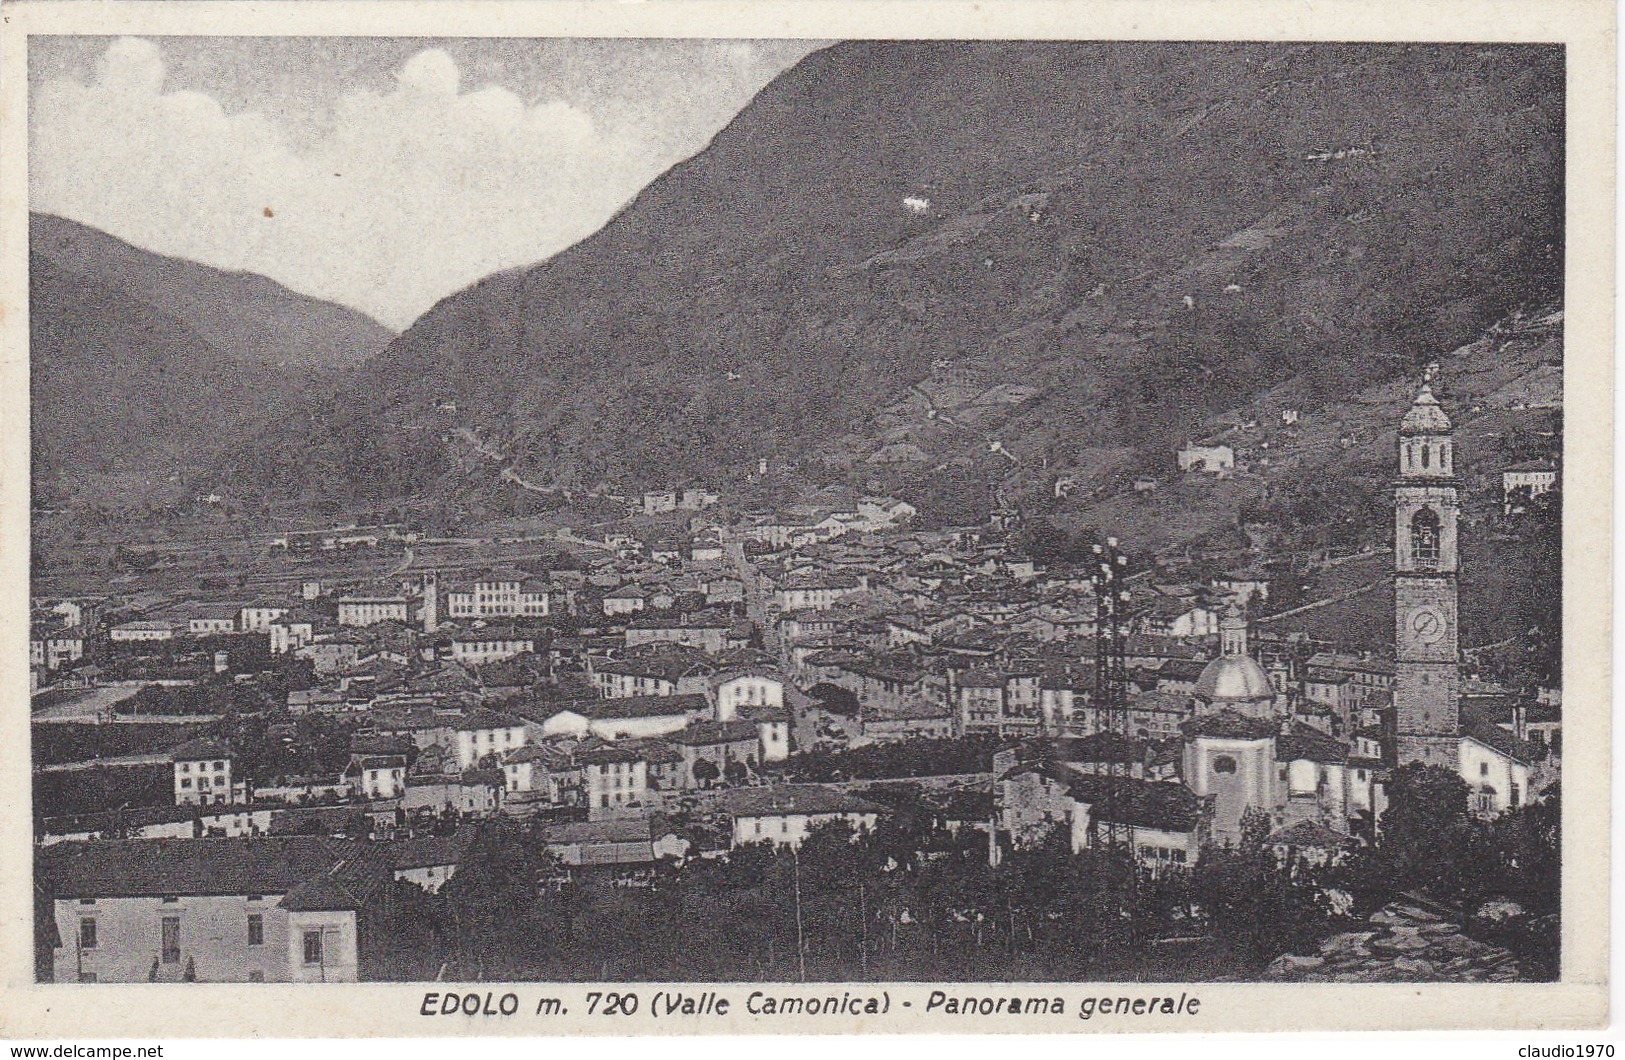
pixel 911 903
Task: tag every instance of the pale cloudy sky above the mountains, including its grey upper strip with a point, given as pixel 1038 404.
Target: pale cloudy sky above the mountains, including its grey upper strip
pixel 379 173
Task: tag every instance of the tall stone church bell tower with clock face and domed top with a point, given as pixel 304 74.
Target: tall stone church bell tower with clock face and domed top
pixel 1428 672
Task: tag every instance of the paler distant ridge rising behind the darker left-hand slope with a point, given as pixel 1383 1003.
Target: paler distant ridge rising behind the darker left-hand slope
pixel 240 315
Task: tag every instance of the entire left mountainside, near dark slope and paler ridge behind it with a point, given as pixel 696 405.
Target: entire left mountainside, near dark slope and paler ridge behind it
pixel 145 368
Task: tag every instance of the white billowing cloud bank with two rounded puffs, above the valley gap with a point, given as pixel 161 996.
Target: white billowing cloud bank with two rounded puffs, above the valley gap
pixel 404 198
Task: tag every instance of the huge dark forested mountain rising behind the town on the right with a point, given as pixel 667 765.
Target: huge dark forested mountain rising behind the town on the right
pixel 973 269
